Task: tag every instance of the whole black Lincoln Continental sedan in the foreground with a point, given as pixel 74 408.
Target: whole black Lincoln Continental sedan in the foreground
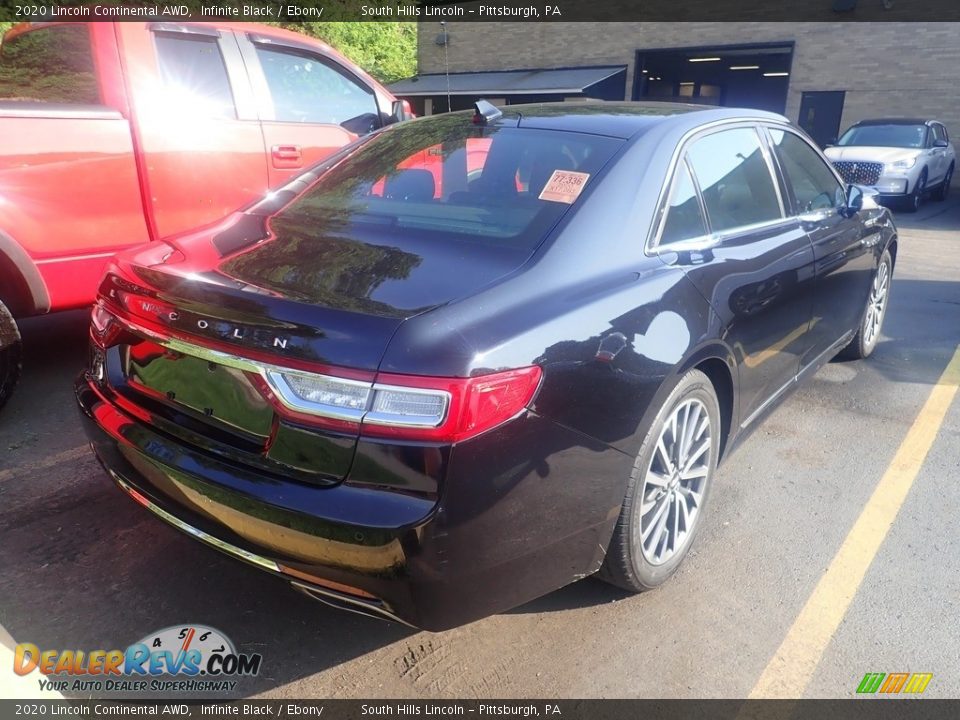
pixel 475 357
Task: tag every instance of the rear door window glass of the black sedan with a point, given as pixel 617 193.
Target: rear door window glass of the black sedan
pixel 735 179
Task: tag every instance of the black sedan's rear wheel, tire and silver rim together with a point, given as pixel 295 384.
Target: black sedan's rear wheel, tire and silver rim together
pixel 668 488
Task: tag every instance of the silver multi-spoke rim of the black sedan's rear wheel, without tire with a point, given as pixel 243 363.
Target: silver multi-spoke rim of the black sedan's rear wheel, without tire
pixel 674 484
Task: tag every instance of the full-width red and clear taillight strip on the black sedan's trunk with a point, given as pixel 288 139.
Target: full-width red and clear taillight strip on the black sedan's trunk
pixel 405 407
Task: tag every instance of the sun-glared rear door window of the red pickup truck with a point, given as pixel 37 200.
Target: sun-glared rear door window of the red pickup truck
pixel 195 75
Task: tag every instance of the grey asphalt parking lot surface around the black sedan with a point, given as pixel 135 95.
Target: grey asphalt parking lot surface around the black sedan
pixel 84 567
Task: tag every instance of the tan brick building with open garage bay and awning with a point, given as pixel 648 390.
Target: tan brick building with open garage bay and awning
pixel 824 76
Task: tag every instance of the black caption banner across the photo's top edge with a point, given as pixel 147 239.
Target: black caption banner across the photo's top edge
pixel 485 10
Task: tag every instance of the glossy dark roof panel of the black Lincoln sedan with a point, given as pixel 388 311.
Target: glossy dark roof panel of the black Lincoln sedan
pixel 620 119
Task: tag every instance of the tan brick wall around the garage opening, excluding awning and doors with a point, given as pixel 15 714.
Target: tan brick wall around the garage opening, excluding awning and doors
pixel 887 69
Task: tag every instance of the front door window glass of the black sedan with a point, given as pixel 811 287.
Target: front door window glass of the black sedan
pixel 814 185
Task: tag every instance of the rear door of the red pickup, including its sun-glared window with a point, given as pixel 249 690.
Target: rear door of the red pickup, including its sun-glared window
pixel 196 123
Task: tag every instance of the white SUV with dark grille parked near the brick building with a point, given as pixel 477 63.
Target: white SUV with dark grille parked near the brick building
pixel 899 159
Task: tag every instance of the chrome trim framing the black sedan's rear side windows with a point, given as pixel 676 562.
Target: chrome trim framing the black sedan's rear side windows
pixel 652 246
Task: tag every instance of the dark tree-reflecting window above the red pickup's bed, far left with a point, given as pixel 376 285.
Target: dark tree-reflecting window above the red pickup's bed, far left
pixel 50 65
